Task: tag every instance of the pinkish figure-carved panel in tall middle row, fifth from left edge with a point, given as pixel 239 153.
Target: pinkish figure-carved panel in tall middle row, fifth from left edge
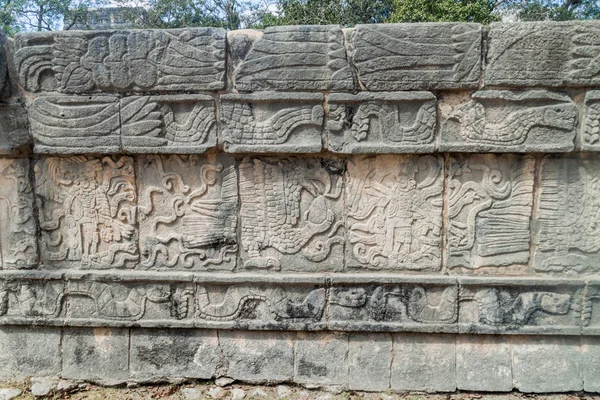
pixel 394 212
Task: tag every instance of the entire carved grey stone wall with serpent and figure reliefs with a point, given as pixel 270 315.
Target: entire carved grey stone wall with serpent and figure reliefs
pixel 409 206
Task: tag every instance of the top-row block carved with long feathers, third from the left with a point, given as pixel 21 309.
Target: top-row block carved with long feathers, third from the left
pixel 417 56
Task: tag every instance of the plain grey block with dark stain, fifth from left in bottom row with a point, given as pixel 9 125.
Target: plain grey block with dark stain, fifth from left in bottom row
pixel 321 359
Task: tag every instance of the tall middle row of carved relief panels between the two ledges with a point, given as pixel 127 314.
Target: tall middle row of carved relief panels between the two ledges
pixel 499 214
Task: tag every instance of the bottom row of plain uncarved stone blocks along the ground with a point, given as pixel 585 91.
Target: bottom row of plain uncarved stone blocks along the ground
pixel 357 361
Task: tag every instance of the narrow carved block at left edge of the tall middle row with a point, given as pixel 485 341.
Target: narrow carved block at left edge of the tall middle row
pixel 18 243
